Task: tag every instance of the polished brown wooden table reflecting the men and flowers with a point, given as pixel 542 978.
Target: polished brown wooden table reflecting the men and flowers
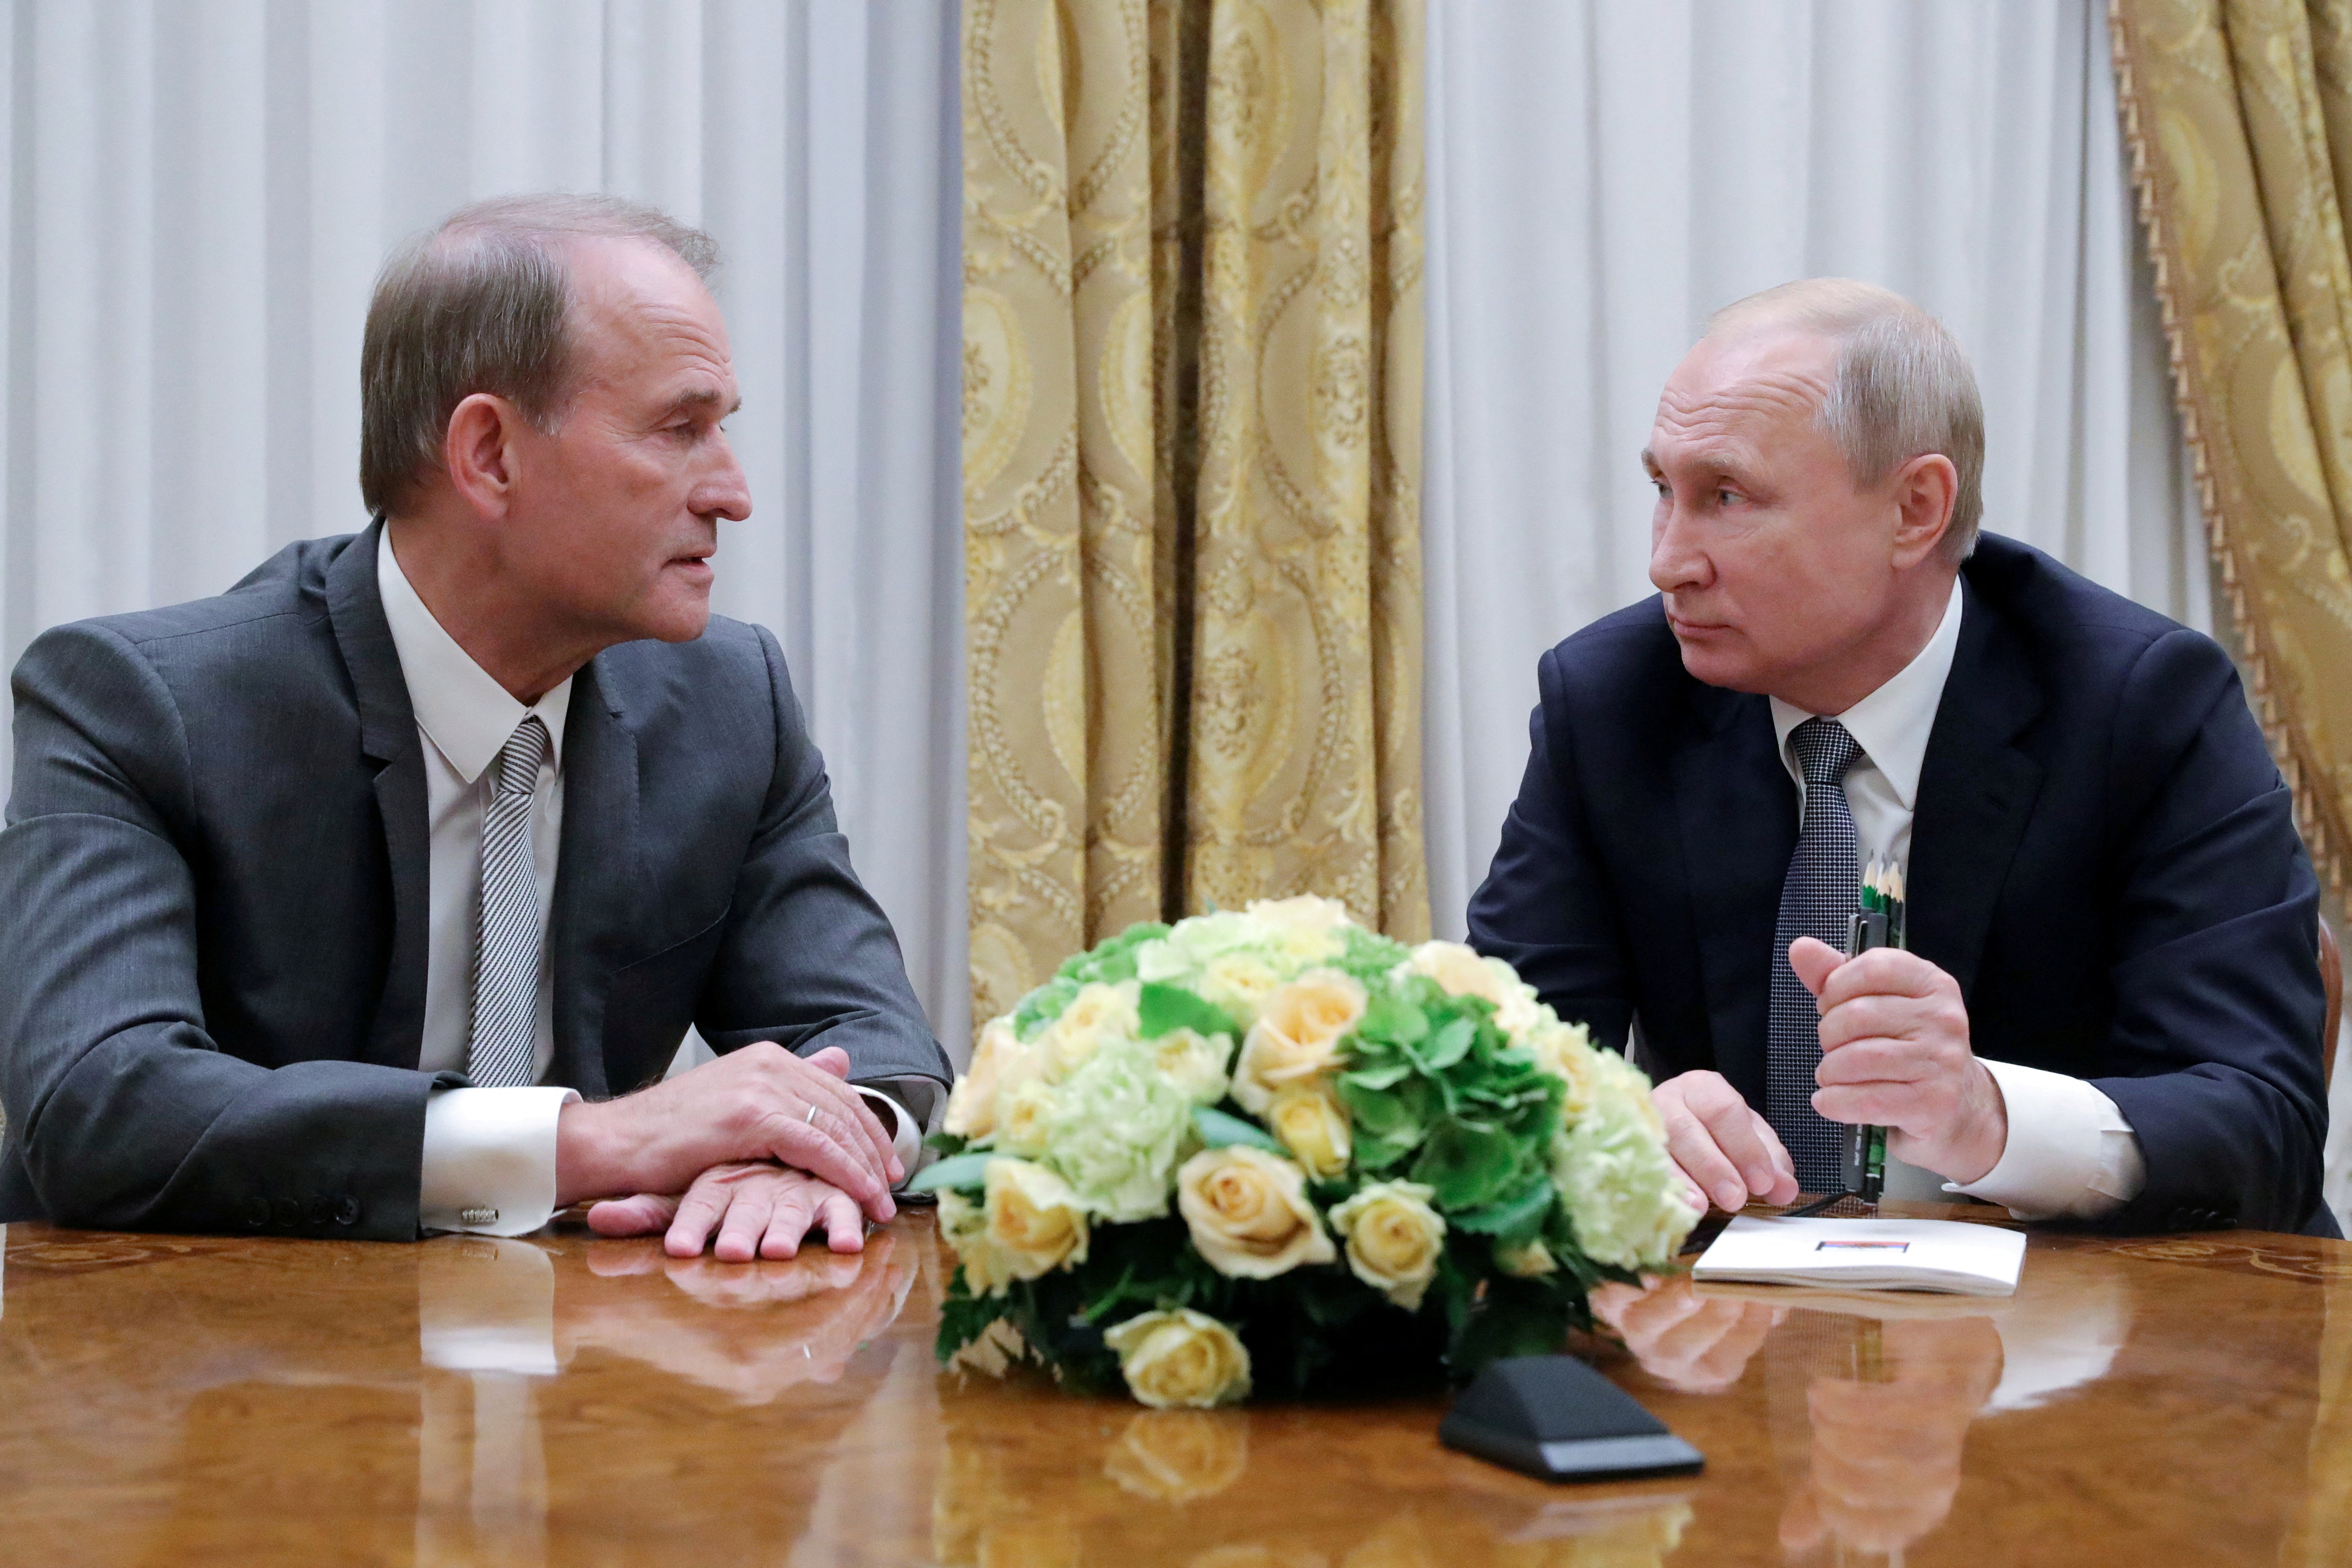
pixel 566 1400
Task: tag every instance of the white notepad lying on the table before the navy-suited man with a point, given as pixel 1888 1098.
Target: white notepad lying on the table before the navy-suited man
pixel 1944 1257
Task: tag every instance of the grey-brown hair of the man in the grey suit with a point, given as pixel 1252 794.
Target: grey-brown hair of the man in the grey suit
pixel 483 304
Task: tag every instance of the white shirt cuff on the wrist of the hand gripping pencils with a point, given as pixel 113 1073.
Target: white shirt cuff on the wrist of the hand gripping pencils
pixel 2071 1153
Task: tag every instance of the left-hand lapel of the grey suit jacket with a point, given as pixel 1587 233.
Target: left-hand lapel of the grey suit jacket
pixel 389 742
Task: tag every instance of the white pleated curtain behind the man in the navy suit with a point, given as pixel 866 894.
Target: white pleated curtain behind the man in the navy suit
pixel 1603 175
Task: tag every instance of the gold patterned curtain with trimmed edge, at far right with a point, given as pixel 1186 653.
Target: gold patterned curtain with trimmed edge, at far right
pixel 2240 128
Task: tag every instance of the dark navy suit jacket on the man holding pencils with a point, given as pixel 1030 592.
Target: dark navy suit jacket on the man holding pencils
pixel 2104 857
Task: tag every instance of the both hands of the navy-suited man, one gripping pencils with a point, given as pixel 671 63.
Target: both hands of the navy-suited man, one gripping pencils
pixel 1895 1052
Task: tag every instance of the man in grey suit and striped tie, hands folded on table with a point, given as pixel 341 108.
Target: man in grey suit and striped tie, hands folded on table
pixel 377 894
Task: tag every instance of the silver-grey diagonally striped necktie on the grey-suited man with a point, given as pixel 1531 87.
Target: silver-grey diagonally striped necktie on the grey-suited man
pixel 507 930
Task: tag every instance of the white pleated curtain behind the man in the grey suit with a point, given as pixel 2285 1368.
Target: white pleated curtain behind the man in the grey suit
pixel 201 192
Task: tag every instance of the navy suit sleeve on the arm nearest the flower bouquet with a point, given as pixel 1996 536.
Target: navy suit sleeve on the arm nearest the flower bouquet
pixel 1546 909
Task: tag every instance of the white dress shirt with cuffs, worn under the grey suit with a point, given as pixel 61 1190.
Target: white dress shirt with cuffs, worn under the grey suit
pixel 490 1153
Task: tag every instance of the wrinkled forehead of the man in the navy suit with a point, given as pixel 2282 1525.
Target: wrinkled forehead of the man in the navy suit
pixel 1744 391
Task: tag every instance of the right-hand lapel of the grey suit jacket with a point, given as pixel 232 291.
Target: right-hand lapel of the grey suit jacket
pixel 592 880
